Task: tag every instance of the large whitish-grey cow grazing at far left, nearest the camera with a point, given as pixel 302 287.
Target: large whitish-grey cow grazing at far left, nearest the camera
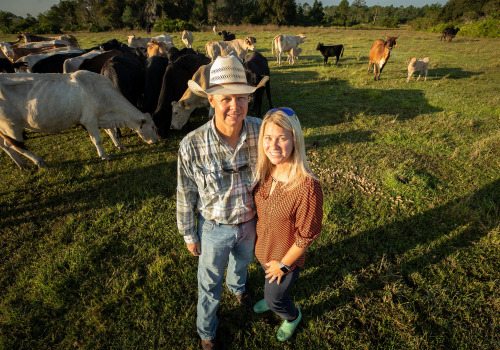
pixel 51 103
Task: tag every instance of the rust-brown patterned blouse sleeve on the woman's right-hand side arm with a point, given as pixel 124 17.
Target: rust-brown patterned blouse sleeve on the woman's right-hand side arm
pixel 309 215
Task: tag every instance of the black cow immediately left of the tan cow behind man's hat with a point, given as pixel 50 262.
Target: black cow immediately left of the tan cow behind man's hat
pixel 174 85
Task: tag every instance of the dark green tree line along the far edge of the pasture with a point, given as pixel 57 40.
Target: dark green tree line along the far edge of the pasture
pixel 174 15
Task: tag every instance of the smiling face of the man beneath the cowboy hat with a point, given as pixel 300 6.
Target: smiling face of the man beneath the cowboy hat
pixel 230 110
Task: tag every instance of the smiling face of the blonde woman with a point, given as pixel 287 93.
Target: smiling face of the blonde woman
pixel 278 144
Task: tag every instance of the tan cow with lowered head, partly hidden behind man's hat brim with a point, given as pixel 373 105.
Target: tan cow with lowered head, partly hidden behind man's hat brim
pixel 182 109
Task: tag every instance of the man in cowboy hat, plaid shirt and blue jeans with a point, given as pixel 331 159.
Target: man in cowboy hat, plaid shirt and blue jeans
pixel 215 183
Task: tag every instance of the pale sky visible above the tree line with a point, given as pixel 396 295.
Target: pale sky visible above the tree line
pixel 35 7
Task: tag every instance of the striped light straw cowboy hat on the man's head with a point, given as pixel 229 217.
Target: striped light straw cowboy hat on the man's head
pixel 227 77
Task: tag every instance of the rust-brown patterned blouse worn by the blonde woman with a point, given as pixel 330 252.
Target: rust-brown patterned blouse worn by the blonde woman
pixel 287 217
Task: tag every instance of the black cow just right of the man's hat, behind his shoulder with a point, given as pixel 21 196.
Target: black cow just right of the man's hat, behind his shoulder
pixel 256 67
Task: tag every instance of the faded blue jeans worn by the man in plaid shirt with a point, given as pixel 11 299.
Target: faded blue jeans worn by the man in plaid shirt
pixel 221 245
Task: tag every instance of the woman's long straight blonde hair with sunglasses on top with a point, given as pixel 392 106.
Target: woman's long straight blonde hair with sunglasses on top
pixel 299 168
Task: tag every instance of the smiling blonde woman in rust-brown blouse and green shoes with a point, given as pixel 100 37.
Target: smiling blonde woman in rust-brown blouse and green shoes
pixel 289 203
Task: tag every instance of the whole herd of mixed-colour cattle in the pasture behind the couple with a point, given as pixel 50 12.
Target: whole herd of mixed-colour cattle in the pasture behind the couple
pixel 142 85
